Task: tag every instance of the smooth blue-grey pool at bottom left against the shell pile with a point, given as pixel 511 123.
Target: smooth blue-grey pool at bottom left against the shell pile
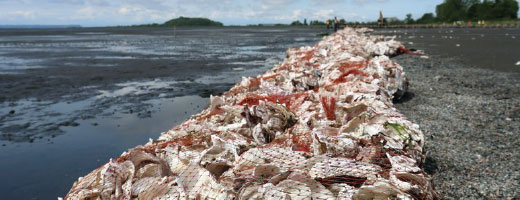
pixel 84 148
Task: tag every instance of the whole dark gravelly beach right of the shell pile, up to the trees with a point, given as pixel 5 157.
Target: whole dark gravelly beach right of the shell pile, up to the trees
pixel 467 101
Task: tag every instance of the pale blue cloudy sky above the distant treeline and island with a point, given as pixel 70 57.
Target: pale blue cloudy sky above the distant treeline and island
pixel 229 12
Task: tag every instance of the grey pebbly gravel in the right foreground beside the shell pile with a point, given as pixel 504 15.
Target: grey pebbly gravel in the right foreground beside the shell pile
pixel 471 121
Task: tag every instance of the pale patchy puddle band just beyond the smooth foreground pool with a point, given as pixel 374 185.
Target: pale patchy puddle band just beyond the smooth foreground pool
pixel 29 120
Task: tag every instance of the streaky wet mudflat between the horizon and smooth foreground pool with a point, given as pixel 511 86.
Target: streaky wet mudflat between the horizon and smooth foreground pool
pixel 46 67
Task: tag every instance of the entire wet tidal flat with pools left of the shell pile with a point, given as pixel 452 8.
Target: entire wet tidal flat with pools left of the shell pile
pixel 48 142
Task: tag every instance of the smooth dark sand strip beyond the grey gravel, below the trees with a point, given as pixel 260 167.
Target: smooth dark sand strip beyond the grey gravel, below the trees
pixel 496 49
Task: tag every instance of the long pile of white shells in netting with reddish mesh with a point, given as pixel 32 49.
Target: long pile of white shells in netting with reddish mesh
pixel 320 125
